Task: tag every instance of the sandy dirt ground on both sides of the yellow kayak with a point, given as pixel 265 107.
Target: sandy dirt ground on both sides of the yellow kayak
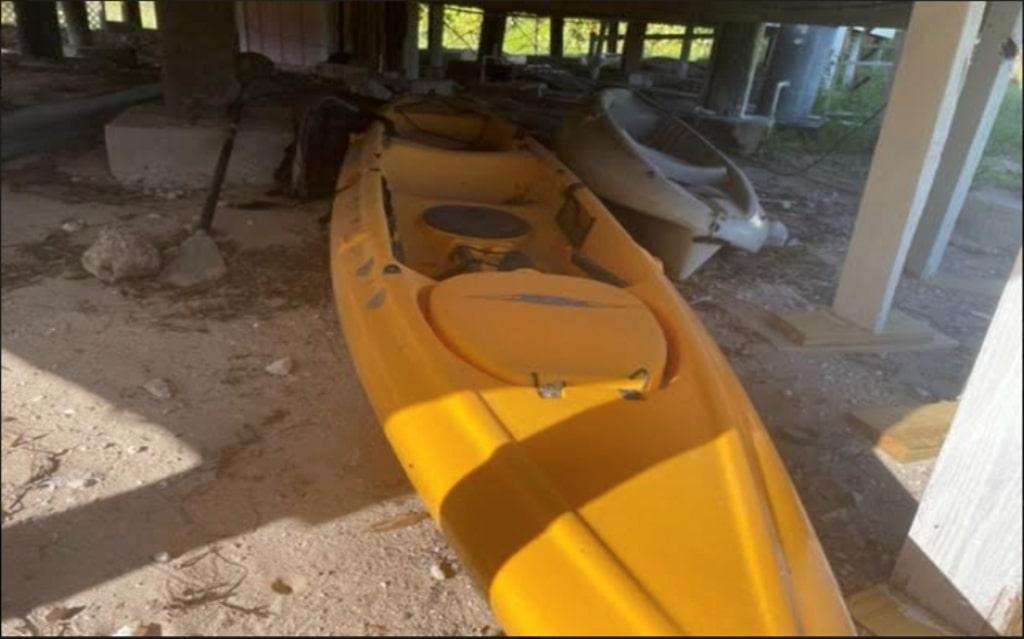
pixel 248 503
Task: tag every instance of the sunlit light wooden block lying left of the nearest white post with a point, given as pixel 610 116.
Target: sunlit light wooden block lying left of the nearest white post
pixel 908 434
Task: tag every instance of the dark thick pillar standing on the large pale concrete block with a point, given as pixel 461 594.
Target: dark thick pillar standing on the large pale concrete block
pixel 199 73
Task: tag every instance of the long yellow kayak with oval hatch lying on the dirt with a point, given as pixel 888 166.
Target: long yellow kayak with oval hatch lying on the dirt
pixel 564 414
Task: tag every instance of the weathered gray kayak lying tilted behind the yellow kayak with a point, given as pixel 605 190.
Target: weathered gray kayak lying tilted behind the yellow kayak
pixel 639 158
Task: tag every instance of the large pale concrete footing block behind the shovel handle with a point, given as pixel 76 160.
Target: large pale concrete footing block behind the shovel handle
pixel 147 148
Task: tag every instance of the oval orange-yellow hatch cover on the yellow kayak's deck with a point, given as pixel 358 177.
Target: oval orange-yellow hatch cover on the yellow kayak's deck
pixel 550 331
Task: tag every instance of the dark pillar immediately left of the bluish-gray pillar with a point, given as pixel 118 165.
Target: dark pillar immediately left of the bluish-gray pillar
pixel 733 69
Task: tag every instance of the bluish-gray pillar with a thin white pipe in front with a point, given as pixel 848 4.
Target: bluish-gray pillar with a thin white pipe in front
pixel 800 58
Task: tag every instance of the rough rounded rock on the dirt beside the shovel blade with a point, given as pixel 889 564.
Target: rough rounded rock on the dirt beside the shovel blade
pixel 120 253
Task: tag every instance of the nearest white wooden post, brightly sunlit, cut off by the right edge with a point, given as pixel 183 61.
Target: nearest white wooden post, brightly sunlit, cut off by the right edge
pixel 963 557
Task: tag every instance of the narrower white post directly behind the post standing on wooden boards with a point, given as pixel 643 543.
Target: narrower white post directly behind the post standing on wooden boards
pixel 979 103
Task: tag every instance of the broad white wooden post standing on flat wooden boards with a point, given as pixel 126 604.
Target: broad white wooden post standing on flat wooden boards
pixel 928 80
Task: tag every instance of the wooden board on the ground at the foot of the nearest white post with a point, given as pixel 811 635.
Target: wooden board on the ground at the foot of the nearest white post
pixel 885 614
